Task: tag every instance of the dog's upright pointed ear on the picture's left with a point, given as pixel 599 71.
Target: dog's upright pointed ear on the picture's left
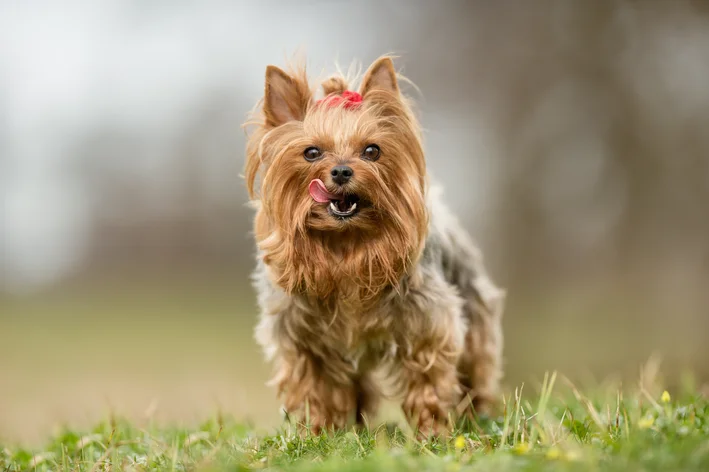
pixel 286 99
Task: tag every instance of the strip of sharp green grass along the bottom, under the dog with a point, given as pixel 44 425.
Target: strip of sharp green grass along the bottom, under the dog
pixel 556 427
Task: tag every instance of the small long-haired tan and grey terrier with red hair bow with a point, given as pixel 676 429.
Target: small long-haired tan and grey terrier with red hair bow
pixel 362 270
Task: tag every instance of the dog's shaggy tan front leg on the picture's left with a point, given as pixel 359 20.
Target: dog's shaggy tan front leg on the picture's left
pixel 318 389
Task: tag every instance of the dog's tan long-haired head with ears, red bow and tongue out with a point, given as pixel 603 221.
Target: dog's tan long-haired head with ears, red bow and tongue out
pixel 342 179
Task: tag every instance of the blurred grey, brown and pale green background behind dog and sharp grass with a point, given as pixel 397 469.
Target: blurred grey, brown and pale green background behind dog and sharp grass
pixel 571 138
